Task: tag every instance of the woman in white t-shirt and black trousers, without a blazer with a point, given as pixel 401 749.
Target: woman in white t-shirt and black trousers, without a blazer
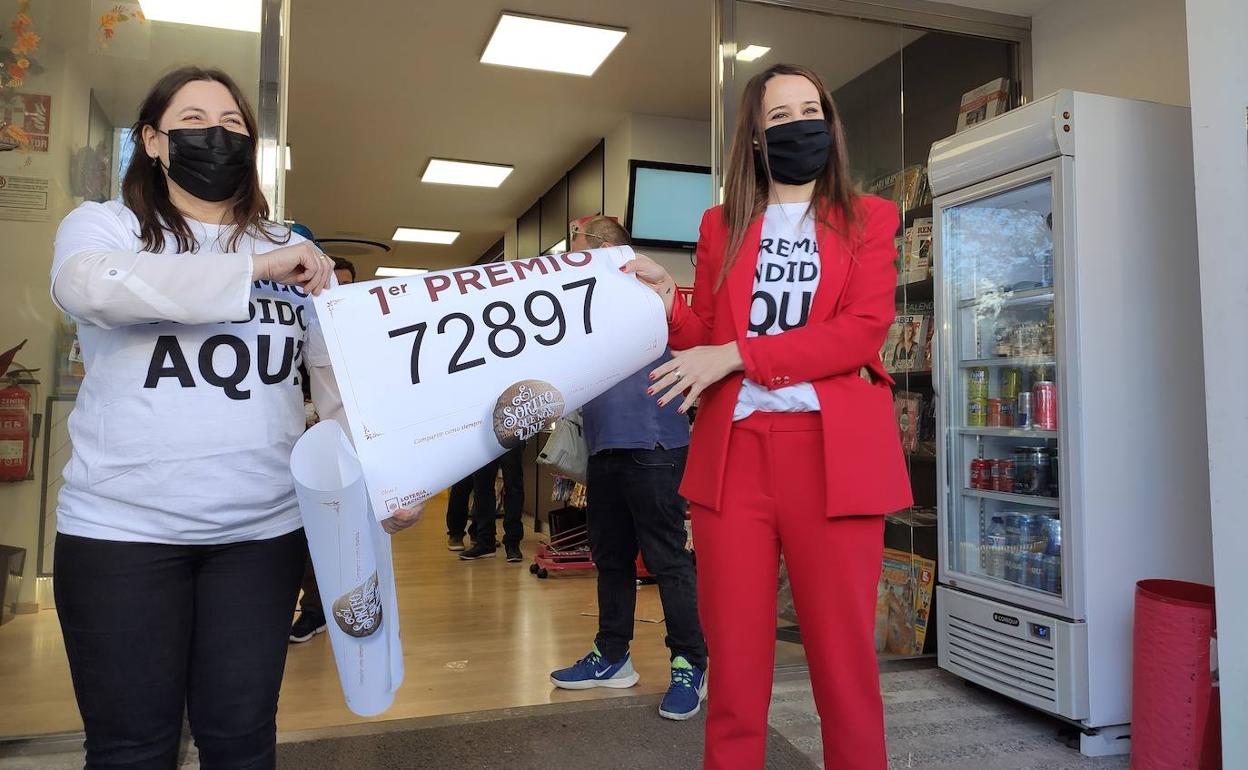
pixel 180 550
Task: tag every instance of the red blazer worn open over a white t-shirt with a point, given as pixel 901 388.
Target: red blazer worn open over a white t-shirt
pixel 849 321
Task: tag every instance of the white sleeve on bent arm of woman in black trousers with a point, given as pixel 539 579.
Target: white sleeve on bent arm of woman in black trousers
pixel 99 279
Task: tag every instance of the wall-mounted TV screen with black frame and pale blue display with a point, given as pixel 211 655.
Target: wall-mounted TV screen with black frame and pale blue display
pixel 666 203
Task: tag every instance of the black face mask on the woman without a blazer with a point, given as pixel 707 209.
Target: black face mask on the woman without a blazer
pixel 210 164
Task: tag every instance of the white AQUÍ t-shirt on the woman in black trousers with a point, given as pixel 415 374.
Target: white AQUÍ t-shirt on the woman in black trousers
pixel 183 431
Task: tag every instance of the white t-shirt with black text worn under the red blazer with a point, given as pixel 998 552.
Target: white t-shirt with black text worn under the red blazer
pixel 786 280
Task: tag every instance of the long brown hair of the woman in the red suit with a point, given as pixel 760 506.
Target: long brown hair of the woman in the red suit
pixel 747 192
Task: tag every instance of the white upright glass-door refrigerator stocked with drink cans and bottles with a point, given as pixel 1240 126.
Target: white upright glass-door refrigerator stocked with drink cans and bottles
pixel 1071 424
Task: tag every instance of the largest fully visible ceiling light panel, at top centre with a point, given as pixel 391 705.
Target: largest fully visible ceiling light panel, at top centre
pixel 551 46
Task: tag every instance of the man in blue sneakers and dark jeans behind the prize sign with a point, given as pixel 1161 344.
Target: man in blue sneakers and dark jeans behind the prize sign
pixel 637 457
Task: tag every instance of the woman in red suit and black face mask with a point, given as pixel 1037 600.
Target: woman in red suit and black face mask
pixel 794 450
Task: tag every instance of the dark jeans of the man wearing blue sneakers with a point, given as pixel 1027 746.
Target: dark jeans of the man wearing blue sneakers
pixel 635 505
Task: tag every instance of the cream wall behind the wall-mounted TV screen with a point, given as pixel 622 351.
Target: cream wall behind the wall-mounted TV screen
pixel 653 138
